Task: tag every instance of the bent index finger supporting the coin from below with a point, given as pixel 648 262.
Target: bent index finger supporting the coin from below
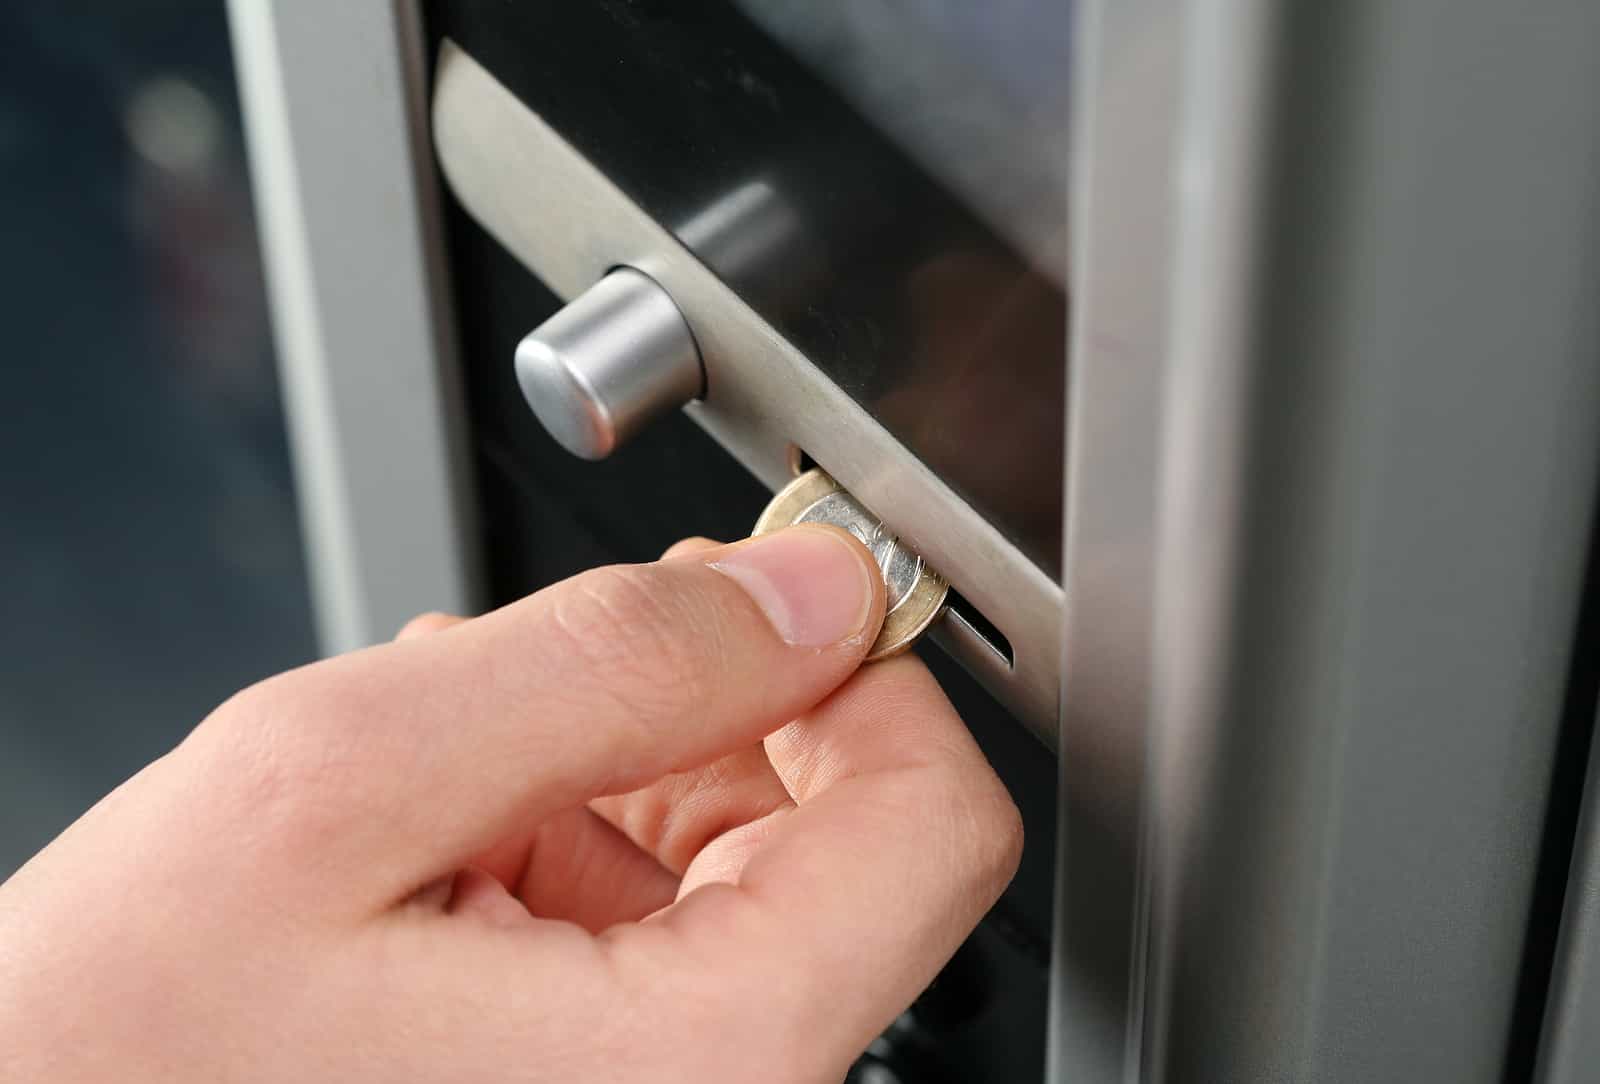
pixel 902 840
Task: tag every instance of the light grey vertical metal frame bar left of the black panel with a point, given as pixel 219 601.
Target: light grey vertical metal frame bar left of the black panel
pixel 335 108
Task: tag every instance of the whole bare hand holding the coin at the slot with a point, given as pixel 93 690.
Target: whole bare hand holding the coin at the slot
pixel 649 824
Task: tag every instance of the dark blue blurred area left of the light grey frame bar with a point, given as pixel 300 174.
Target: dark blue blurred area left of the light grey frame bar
pixel 150 548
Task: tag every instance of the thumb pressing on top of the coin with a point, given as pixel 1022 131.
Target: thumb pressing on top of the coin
pixel 402 762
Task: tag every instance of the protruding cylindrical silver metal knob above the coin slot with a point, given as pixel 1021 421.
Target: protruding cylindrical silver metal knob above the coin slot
pixel 614 359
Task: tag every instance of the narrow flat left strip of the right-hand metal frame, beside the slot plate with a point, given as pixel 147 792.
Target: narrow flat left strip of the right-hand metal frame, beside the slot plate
pixel 1126 118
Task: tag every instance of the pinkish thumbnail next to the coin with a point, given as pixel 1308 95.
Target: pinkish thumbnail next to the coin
pixel 812 583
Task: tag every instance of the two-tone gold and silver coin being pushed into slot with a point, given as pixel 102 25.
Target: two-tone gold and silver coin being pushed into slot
pixel 916 592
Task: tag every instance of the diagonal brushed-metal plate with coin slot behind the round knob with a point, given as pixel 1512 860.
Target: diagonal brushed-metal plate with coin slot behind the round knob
pixel 569 223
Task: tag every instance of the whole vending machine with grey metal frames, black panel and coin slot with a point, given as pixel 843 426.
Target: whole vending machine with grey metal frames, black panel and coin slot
pixel 1234 364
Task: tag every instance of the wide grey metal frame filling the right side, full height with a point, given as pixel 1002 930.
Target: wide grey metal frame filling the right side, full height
pixel 1332 699
